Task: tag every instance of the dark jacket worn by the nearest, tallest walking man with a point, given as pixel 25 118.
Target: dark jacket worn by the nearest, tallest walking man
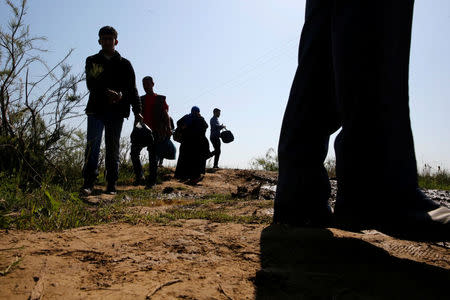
pixel 116 74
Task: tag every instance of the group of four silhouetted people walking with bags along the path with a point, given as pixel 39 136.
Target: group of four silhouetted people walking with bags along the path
pixel 112 86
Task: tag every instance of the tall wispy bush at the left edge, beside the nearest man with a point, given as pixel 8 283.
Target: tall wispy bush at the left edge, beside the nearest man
pixel 34 137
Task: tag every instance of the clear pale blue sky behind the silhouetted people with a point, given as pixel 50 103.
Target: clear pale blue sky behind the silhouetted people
pixel 239 56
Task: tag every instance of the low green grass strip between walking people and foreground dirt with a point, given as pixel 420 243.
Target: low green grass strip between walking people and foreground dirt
pixel 54 208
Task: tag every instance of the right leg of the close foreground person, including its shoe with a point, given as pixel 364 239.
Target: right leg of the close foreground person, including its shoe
pixel 376 165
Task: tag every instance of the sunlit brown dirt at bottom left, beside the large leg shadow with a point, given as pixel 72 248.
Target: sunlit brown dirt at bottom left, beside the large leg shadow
pixel 123 261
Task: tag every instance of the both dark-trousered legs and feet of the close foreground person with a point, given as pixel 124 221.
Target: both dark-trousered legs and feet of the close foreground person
pixel 353 74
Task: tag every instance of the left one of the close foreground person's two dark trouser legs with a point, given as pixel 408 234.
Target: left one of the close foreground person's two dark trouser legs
pixel 310 117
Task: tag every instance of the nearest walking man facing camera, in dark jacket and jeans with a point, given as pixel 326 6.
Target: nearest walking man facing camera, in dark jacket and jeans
pixel 112 89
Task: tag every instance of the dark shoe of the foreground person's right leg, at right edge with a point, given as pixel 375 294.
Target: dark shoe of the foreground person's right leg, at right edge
pixel 419 218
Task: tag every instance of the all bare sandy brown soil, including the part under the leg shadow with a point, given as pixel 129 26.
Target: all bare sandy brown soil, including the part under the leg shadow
pixel 200 259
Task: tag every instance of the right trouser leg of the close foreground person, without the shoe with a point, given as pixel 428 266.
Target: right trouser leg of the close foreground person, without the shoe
pixel 371 42
